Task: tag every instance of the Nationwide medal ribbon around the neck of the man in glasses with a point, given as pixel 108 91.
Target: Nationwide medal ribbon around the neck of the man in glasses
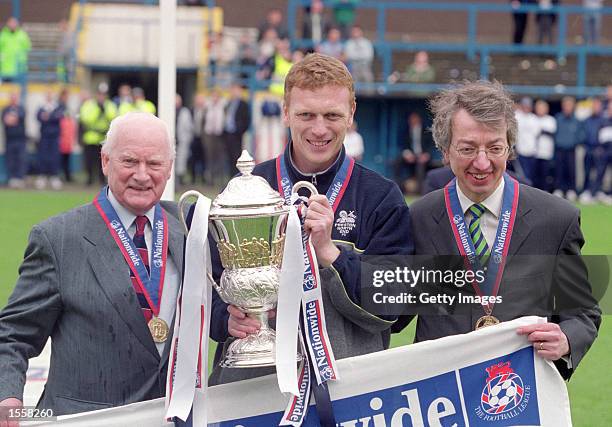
pixel 501 244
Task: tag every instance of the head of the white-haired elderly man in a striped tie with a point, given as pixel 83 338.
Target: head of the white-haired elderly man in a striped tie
pixel 138 165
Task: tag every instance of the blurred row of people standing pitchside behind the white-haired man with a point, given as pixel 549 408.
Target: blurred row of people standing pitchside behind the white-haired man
pixel 209 135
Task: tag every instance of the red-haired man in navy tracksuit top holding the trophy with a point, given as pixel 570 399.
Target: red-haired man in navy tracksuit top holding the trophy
pixel 371 218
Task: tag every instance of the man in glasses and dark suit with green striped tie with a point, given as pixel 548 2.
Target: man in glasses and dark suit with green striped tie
pixel 526 241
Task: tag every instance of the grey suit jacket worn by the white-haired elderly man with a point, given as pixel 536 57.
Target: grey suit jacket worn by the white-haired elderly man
pixel 74 286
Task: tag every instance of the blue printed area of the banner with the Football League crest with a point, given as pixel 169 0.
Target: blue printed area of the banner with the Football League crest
pixel 497 393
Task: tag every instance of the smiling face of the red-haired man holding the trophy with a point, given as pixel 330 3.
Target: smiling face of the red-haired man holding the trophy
pixel 319 120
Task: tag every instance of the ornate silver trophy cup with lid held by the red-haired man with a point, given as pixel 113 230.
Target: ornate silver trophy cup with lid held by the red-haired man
pixel 248 221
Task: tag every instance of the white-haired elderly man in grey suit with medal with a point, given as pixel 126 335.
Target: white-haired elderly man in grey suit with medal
pixel 101 281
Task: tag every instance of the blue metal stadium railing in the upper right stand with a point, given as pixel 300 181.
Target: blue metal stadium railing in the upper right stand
pixel 472 48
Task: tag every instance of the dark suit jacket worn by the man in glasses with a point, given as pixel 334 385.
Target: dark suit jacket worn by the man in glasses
pixel 544 273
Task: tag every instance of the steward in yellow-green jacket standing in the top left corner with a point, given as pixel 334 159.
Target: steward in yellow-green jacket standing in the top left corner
pixel 14 47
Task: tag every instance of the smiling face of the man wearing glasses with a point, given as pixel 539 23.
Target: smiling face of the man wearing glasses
pixel 480 176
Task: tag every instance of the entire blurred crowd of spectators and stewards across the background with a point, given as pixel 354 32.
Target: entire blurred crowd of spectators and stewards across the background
pixel 546 148
